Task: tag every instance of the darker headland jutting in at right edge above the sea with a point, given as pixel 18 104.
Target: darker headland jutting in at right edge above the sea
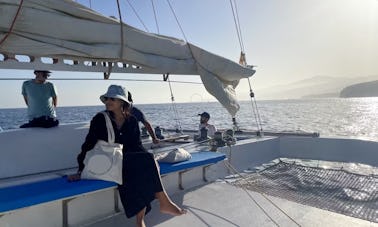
pixel 367 89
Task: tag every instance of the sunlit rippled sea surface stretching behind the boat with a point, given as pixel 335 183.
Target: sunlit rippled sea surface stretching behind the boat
pixel 357 117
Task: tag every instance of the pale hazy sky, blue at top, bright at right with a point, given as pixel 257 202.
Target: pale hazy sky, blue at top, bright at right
pixel 287 41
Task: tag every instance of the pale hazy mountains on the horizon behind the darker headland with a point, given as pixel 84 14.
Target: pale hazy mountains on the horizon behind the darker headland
pixel 322 87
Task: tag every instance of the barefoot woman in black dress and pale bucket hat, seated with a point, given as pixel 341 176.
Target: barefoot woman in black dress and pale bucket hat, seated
pixel 141 178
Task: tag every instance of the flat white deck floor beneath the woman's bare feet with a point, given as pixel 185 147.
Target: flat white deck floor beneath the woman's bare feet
pixel 221 204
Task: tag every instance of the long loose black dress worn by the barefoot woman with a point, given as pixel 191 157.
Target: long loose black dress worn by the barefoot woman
pixel 141 179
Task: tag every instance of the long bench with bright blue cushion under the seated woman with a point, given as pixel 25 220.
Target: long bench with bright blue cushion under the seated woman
pixel 28 194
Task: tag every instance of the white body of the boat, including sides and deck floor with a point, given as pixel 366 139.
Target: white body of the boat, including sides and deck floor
pixel 209 204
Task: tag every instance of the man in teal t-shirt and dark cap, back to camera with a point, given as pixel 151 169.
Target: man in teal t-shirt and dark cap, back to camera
pixel 41 99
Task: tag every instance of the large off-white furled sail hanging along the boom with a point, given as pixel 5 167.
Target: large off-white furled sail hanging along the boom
pixel 63 29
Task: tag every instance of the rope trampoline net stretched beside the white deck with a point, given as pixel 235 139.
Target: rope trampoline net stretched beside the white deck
pixel 335 190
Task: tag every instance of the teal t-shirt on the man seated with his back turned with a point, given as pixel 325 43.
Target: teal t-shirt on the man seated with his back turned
pixel 40 98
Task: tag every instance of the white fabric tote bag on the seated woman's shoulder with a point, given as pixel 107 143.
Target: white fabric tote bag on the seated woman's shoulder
pixel 104 161
